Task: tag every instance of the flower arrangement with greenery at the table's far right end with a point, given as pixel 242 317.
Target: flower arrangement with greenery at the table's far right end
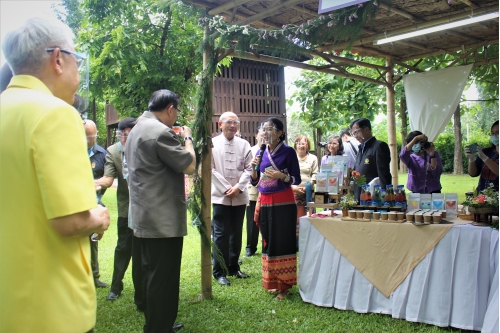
pixel 483 204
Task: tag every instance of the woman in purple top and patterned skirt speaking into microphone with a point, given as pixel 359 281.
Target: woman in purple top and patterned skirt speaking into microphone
pixel 276 211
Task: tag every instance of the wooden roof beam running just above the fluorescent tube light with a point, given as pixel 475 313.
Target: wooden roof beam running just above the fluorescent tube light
pixel 414 27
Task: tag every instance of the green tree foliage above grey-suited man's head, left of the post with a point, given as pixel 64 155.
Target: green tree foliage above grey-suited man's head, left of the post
pixel 138 47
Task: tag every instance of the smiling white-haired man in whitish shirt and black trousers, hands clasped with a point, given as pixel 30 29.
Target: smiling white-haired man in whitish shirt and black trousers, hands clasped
pixel 231 158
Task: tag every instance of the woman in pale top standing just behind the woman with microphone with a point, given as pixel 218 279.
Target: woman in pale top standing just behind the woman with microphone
pixel 308 164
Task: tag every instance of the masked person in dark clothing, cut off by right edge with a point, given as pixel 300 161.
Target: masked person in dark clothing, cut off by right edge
pixel 485 164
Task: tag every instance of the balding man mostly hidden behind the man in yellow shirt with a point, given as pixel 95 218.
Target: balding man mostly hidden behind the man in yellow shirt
pixel 97 156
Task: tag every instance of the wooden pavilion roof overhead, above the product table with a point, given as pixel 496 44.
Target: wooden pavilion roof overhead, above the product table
pixel 393 18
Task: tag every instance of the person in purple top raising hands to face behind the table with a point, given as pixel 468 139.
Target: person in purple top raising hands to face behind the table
pixel 423 162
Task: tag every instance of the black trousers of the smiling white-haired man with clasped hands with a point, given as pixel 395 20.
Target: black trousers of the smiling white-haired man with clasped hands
pixel 227 228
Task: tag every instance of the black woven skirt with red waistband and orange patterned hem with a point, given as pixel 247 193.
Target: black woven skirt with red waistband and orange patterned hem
pixel 277 217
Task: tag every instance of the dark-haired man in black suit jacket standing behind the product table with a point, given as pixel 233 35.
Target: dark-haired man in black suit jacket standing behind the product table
pixel 374 156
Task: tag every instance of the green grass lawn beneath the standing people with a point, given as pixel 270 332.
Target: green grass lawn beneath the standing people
pixel 244 306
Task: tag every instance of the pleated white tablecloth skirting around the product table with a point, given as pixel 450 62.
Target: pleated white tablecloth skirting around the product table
pixel 456 284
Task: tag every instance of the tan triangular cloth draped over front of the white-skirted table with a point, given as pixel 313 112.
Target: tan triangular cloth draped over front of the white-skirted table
pixel 385 253
